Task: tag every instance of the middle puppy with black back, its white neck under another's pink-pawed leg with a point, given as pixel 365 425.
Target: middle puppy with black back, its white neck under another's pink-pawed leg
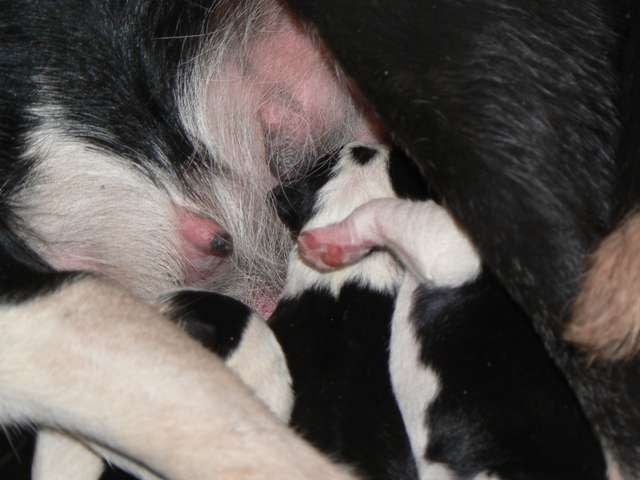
pixel 334 327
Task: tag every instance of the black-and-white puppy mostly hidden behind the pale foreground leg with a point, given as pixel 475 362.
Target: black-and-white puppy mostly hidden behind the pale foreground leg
pixel 224 326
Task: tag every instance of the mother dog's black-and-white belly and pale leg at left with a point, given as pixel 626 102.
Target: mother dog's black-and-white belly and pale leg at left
pixel 138 142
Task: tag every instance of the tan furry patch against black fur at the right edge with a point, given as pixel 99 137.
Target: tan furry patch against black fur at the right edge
pixel 606 315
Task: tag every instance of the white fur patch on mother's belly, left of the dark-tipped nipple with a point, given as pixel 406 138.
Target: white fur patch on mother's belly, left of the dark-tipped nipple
pixel 83 209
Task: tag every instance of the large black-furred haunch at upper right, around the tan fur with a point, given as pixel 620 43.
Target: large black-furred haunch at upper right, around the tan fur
pixel 509 108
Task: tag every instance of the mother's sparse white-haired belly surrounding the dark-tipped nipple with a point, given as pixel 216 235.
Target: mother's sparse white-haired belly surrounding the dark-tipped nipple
pixel 85 208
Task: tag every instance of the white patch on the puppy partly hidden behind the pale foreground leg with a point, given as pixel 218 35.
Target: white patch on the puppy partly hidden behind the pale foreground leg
pixel 260 363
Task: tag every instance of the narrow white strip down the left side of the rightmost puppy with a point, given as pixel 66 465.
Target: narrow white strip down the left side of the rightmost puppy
pixel 415 386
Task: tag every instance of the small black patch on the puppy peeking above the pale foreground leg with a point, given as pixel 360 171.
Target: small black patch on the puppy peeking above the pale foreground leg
pixel 215 320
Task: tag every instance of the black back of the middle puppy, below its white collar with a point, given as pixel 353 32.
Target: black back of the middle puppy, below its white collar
pixel 337 352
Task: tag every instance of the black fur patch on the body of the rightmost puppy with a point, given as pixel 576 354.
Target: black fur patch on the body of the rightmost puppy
pixel 504 407
